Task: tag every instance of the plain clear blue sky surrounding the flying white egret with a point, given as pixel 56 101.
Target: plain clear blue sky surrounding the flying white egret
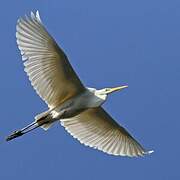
pixel 109 43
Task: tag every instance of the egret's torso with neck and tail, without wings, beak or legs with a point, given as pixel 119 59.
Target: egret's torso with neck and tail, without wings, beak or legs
pixel 89 98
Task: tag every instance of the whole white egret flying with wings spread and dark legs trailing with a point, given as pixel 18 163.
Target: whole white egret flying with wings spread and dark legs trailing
pixel 76 107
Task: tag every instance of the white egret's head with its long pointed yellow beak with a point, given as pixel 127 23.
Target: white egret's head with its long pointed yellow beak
pixel 102 93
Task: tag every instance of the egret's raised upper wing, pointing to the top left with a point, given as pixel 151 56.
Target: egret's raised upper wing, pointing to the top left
pixel 47 66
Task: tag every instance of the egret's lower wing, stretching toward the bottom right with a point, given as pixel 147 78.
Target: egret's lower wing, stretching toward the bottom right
pixel 95 128
